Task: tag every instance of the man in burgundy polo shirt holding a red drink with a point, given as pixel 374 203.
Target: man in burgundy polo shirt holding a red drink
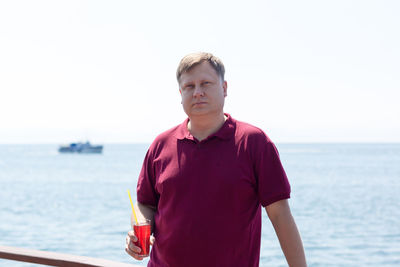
pixel 203 182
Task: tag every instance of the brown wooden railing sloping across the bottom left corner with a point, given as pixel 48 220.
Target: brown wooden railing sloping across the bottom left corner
pixel 56 259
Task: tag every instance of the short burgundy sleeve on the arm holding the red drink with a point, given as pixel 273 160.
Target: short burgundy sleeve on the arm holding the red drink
pixel 146 193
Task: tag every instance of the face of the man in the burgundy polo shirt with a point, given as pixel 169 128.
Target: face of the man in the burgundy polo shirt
pixel 202 90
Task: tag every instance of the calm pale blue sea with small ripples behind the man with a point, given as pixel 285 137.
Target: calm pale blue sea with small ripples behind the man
pixel 345 201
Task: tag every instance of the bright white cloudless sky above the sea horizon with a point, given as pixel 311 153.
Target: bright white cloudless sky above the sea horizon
pixel 303 71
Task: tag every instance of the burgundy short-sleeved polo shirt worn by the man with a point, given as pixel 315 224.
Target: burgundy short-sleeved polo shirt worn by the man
pixel 209 194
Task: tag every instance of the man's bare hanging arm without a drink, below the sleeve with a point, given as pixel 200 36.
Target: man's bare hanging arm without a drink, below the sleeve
pixel 286 230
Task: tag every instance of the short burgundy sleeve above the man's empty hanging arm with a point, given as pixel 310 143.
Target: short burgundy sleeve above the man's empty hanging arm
pixel 273 184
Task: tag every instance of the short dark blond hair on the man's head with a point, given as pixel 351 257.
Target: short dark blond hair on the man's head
pixel 194 59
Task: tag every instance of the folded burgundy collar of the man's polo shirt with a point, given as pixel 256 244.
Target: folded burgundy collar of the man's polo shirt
pixel 225 132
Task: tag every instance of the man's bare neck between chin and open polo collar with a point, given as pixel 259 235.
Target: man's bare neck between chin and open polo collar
pixel 201 128
